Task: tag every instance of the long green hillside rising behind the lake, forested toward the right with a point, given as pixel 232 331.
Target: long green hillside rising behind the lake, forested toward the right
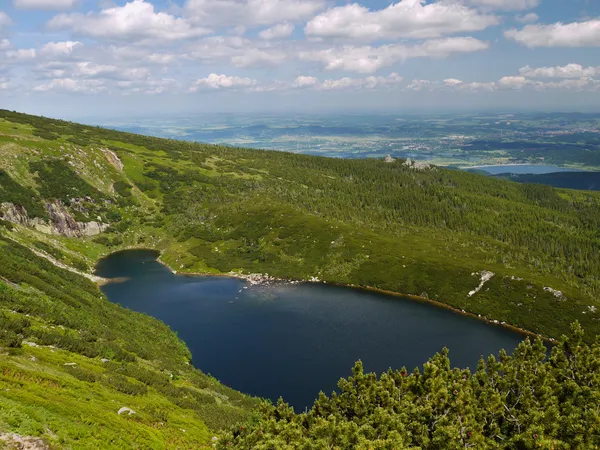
pixel 429 232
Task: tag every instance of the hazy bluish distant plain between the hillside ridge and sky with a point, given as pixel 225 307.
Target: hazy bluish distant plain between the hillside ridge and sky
pixel 568 140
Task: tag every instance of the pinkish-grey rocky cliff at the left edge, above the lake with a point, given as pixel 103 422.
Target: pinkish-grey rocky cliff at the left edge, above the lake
pixel 60 221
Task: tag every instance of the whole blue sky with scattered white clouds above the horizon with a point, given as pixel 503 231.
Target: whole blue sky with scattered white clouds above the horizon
pixel 111 58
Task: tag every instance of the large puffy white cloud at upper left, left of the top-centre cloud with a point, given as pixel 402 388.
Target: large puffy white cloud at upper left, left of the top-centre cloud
pixel 136 20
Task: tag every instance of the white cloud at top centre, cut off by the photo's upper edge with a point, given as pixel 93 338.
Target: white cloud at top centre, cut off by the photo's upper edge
pixel 215 13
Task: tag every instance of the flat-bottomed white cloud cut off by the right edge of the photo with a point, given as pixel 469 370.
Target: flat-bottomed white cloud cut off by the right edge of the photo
pixel 576 34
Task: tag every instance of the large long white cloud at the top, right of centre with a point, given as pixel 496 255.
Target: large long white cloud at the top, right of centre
pixel 405 19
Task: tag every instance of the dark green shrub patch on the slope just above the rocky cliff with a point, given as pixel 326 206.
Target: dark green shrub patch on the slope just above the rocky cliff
pixel 59 182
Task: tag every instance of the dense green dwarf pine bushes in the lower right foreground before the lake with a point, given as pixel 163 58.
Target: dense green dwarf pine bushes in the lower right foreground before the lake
pixel 522 401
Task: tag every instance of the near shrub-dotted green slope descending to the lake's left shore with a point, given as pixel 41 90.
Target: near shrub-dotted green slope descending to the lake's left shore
pixel 70 360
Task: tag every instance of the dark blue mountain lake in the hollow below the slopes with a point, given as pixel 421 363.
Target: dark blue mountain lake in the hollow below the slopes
pixel 294 340
